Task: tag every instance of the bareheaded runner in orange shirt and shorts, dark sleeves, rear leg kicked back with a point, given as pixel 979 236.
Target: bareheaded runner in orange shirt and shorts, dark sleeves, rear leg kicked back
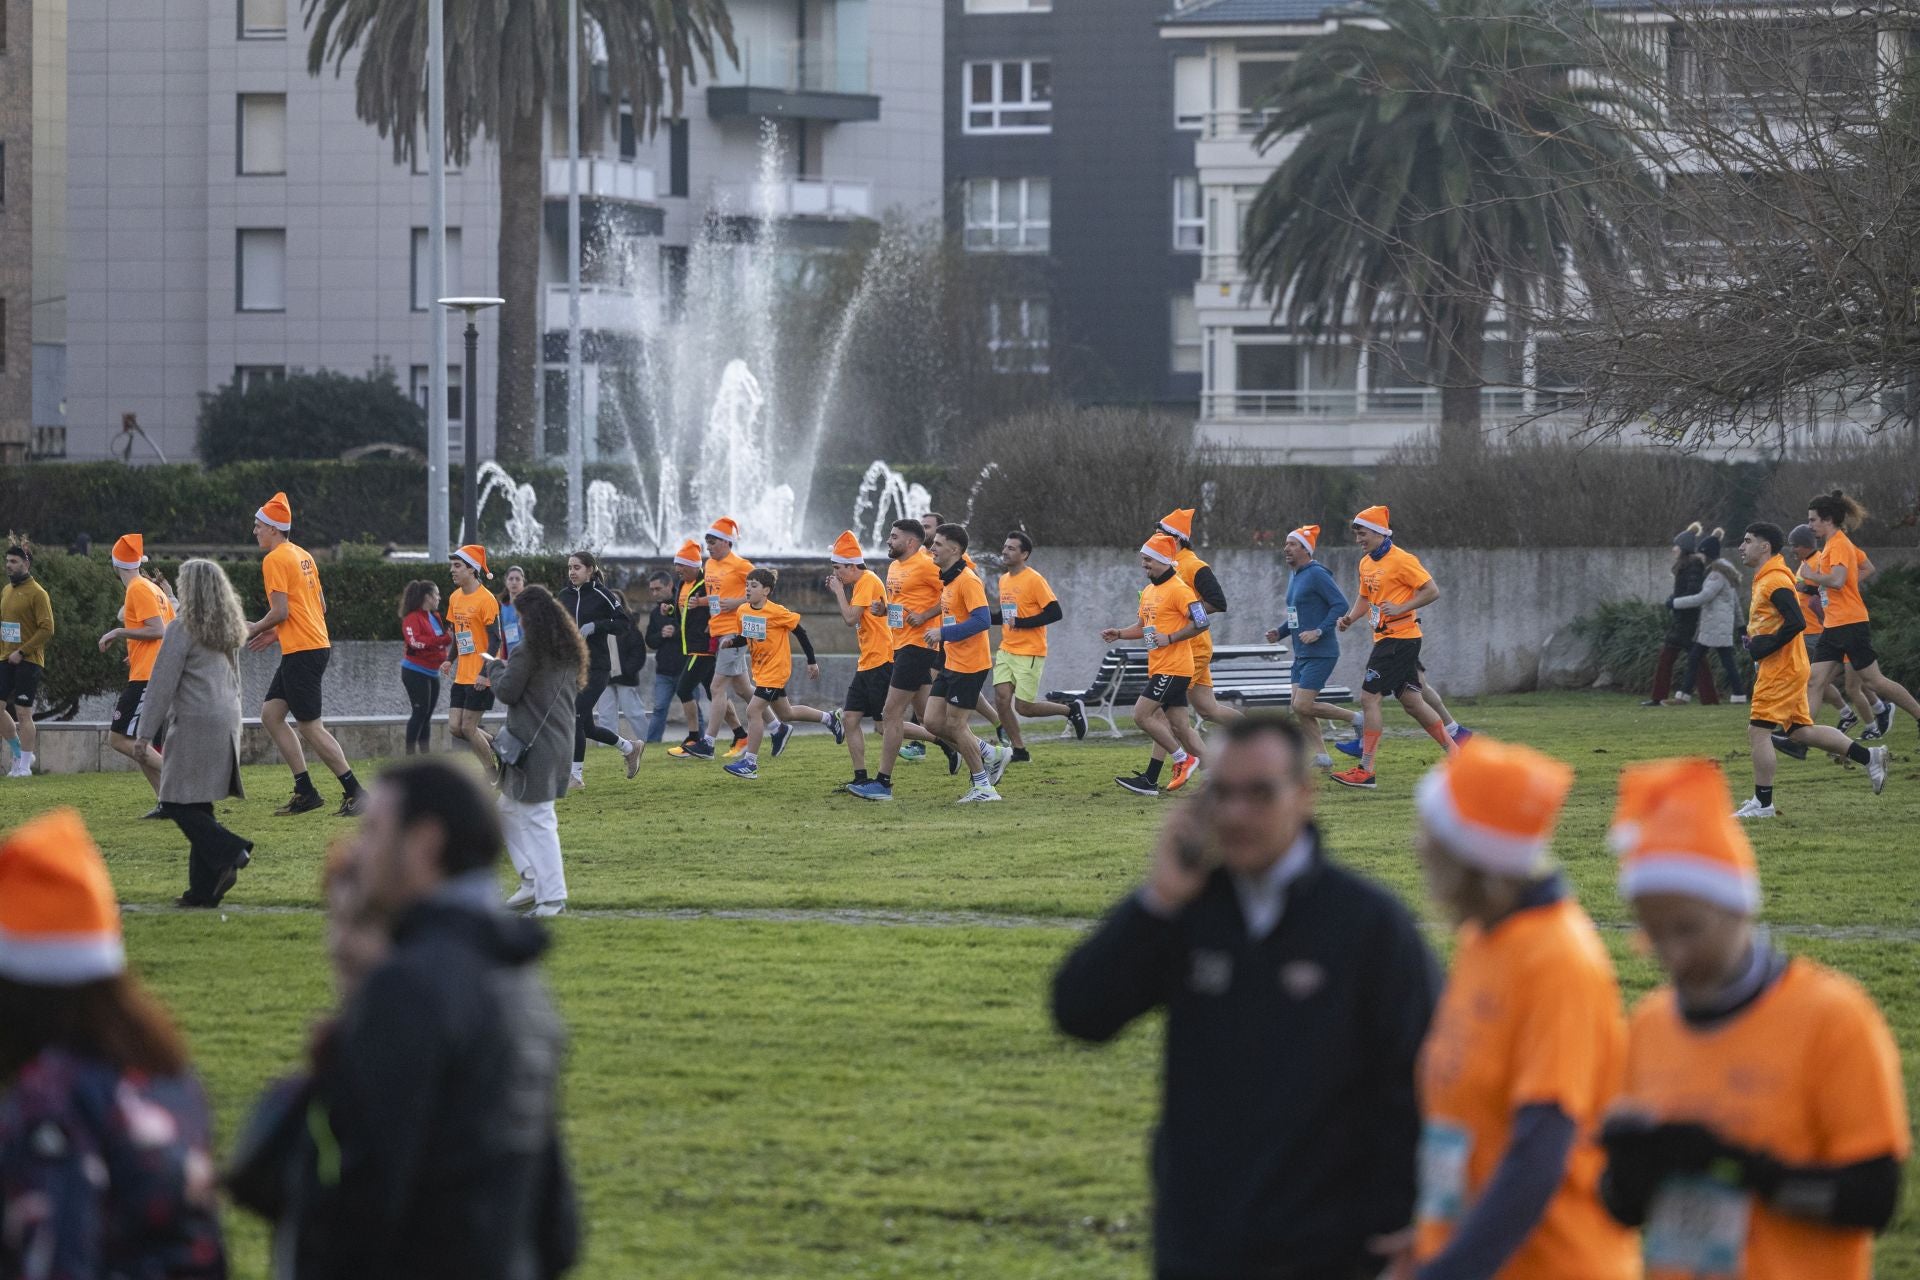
pixel 1775 625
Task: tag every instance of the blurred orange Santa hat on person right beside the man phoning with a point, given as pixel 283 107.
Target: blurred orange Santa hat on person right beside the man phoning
pixel 1495 805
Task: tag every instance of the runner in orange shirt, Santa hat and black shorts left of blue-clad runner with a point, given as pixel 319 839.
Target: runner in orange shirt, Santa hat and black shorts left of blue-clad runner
pixel 1170 617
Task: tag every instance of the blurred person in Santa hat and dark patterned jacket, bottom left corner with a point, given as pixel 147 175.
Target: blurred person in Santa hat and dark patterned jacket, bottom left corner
pixel 107 1160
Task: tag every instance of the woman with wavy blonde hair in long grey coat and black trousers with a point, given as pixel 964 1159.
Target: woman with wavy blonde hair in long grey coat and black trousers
pixel 195 698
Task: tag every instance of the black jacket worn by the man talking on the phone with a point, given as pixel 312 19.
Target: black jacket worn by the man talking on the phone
pixel 1289 1120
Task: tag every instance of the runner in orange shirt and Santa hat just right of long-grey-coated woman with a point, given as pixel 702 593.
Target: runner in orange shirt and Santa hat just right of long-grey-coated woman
pixel 297 621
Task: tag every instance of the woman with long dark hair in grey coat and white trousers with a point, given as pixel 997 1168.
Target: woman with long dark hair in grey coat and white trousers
pixel 539 686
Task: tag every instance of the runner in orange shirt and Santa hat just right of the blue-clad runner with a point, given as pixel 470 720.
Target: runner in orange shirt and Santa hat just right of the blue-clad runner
pixel 1393 588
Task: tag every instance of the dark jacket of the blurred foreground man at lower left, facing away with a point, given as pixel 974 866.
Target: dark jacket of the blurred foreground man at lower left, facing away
pixel 443 1093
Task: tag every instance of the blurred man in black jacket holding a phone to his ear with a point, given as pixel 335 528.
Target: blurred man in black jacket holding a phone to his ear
pixel 1297 999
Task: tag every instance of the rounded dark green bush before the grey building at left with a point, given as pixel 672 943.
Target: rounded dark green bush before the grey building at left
pixel 318 415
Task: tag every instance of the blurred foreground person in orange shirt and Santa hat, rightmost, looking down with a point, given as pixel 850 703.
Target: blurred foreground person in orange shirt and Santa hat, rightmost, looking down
pixel 1764 1122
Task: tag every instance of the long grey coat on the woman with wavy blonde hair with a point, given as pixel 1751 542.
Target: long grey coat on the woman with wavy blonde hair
pixel 195 694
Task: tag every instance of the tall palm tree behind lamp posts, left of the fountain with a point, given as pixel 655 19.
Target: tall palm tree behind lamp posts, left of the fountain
pixel 506 60
